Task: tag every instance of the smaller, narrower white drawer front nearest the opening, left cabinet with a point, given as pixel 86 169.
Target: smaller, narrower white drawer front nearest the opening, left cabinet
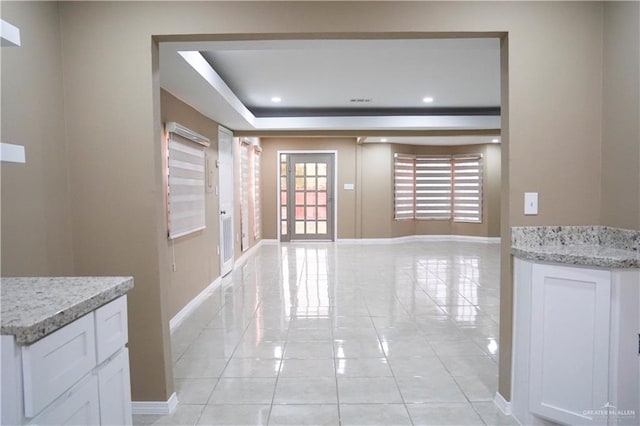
pixel 111 328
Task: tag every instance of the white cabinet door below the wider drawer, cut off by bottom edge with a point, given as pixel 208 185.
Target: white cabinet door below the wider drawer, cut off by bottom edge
pixel 80 406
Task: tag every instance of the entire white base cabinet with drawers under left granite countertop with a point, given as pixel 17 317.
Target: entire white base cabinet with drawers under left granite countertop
pixel 77 375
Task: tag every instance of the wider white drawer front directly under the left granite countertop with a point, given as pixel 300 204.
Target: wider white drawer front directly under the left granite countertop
pixel 55 363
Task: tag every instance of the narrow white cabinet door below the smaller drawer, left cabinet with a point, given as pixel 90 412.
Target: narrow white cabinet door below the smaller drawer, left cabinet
pixel 115 391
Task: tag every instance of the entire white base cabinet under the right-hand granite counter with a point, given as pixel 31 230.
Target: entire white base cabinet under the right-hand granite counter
pixel 575 354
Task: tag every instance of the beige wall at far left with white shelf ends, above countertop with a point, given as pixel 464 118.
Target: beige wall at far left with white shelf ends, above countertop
pixel 36 206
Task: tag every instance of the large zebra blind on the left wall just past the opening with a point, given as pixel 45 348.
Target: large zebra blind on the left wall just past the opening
pixel 186 187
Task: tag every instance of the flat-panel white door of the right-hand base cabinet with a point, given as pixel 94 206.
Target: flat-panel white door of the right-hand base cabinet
pixel 570 343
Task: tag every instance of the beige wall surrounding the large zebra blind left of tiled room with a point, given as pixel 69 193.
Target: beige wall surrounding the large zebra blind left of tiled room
pixel 197 263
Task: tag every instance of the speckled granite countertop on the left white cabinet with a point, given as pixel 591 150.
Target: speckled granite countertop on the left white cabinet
pixel 35 307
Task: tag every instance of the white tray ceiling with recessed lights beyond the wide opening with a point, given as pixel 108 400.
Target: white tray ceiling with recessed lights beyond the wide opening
pixel 233 82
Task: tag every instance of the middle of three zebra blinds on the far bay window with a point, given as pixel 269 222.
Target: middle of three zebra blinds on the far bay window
pixel 433 187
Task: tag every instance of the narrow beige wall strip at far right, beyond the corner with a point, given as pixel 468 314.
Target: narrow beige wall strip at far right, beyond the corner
pixel 620 111
